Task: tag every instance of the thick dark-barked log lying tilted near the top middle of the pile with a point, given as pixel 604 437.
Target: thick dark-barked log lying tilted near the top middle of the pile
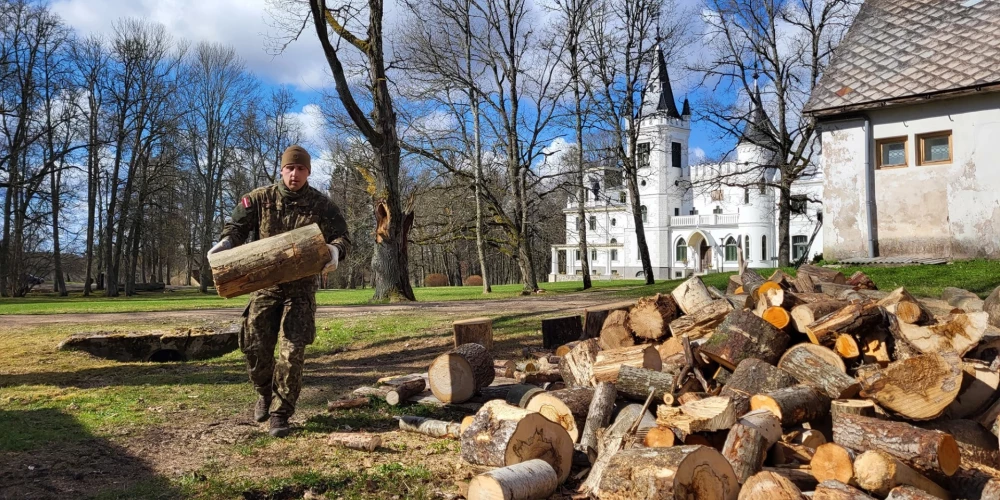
pixel 743 335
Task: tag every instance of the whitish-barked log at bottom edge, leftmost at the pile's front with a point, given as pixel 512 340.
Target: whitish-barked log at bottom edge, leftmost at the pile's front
pixel 530 480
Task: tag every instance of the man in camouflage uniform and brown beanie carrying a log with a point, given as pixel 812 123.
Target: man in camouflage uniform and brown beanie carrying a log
pixel 289 308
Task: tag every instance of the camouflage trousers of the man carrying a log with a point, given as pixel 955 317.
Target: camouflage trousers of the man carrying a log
pixel 269 318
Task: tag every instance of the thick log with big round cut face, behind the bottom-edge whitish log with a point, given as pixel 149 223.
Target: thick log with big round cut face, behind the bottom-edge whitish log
pixel 502 435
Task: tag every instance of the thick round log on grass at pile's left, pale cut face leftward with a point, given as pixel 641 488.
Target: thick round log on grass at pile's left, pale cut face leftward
pixel 456 376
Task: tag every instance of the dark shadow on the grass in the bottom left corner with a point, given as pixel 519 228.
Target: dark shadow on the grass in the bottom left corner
pixel 47 454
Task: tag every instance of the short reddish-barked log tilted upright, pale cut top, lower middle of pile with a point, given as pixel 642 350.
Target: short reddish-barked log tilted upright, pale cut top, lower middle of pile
pixel 748 442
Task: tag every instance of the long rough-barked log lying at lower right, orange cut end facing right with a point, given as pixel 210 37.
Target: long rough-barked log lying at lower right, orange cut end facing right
pixel 928 451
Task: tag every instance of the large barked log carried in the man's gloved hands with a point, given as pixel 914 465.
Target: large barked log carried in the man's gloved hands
pixel 282 258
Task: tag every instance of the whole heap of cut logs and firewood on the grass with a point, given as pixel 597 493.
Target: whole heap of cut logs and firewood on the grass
pixel 818 386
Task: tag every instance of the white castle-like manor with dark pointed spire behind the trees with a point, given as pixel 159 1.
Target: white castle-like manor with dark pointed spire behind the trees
pixel 692 224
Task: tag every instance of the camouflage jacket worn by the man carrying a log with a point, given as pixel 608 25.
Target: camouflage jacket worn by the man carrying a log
pixel 275 209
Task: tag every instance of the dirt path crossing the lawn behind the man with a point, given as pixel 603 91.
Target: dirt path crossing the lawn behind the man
pixel 550 304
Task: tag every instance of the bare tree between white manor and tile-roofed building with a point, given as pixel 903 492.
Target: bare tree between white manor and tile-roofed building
pixel 784 46
